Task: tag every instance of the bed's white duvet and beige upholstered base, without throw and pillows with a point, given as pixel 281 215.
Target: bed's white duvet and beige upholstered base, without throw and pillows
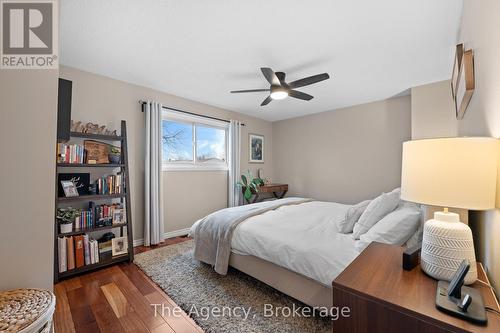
pixel 295 248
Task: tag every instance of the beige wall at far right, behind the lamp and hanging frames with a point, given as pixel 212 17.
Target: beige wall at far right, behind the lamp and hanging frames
pixel 479 31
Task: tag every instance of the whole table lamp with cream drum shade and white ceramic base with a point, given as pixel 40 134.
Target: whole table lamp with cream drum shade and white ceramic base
pixel 451 173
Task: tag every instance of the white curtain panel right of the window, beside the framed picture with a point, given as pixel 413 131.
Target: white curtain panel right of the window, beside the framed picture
pixel 234 193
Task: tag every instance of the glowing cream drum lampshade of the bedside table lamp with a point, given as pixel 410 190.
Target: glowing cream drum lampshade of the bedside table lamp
pixel 451 172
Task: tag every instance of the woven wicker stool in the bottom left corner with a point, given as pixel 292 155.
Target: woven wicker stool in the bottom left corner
pixel 26 310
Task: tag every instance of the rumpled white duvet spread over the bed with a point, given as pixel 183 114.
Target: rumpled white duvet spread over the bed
pixel 302 238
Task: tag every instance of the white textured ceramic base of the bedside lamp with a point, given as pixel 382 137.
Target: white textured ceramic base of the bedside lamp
pixel 446 243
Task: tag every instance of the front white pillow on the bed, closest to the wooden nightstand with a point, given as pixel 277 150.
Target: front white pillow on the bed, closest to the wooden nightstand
pixel 395 228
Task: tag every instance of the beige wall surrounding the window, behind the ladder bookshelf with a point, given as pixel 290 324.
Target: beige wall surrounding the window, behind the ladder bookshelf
pixel 189 195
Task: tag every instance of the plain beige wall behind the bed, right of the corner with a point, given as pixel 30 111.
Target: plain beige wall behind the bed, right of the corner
pixel 346 155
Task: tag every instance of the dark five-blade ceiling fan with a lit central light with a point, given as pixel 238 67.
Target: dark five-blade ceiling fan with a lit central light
pixel 280 89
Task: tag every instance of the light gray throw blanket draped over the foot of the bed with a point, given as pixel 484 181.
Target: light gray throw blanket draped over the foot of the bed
pixel 213 234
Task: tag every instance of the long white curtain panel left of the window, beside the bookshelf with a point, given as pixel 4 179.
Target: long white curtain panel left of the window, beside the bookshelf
pixel 153 208
